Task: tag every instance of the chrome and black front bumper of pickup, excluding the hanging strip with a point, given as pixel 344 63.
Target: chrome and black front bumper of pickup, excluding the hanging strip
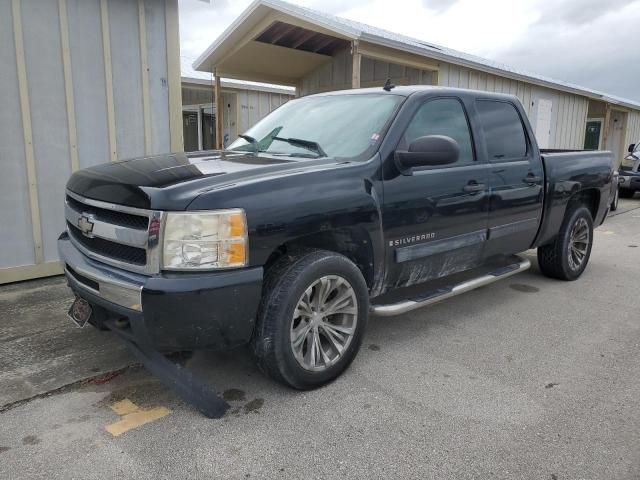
pixel 178 311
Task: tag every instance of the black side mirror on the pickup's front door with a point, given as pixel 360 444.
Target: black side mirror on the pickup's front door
pixel 431 150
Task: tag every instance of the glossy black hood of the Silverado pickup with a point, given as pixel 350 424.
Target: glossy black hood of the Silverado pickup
pixel 173 181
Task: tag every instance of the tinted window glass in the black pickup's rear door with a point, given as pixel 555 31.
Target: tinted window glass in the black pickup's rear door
pixel 503 130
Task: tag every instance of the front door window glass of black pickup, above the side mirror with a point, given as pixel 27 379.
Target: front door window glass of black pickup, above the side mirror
pixel 442 116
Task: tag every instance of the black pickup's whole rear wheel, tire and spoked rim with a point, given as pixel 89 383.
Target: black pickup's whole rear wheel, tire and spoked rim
pixel 558 259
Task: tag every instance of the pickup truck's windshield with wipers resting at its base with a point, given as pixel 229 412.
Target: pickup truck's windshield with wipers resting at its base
pixel 343 126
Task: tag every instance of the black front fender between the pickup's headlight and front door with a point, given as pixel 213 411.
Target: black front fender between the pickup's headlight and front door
pixel 282 209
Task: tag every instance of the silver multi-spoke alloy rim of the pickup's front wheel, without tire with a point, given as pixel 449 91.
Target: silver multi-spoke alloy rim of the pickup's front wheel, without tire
pixel 324 323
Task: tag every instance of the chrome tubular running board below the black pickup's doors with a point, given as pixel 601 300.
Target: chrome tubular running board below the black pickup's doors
pixel 440 294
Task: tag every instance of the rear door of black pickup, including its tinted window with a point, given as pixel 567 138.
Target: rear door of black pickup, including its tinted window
pixel 515 178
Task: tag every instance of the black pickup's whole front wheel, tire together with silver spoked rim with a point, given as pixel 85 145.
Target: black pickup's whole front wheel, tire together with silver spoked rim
pixel 291 297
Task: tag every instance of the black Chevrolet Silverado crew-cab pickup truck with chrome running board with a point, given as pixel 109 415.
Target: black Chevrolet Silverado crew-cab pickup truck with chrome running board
pixel 333 207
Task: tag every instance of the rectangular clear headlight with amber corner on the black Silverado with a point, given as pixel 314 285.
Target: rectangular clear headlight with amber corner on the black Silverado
pixel 205 240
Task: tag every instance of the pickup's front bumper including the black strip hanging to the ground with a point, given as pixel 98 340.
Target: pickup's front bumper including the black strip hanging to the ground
pixel 174 312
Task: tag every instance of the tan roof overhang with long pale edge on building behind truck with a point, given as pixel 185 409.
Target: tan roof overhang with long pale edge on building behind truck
pixel 238 54
